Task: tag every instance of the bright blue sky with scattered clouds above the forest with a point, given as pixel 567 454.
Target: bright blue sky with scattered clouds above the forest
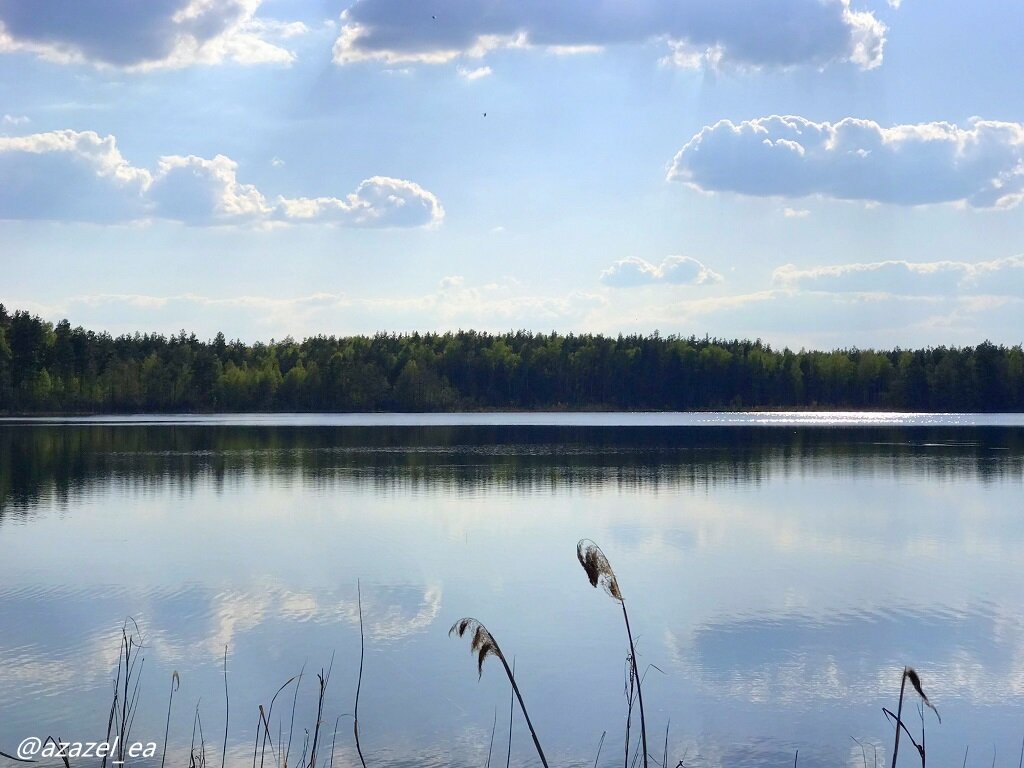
pixel 815 174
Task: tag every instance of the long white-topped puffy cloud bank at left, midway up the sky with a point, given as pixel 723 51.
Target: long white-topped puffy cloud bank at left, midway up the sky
pixel 81 177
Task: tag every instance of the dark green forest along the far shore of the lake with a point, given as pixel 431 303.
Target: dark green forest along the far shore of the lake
pixel 58 369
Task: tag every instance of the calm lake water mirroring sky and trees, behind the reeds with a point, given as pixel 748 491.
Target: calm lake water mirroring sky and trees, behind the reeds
pixel 780 571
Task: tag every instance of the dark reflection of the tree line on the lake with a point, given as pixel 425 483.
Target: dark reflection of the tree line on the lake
pixel 46 462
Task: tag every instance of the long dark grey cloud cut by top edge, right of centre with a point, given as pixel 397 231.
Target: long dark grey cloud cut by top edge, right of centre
pixel 742 33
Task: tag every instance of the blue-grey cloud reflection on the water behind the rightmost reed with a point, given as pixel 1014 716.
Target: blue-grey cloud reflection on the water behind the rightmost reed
pixel 974 655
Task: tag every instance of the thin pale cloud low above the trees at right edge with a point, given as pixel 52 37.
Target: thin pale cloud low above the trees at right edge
pixel 997 278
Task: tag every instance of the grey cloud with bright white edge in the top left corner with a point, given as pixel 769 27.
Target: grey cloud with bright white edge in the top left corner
pixel 134 35
